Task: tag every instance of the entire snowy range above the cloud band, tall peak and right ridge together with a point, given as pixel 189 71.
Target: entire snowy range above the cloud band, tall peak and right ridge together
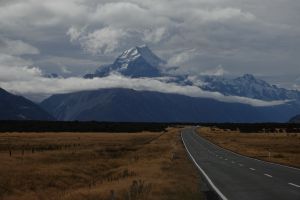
pixel 140 61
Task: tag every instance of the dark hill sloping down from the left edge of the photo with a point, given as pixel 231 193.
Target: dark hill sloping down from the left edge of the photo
pixel 13 107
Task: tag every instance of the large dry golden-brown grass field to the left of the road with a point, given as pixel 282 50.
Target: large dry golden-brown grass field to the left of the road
pixel 73 166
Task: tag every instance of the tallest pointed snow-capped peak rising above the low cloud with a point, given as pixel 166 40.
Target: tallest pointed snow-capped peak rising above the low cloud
pixel 136 62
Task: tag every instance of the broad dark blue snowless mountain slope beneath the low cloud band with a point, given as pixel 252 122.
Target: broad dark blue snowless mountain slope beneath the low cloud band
pixel 144 106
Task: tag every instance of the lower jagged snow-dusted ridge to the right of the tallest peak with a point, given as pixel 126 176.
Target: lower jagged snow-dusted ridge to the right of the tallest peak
pixel 247 86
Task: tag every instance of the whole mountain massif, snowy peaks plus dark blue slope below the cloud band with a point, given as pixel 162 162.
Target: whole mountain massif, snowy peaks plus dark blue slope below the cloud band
pixel 121 104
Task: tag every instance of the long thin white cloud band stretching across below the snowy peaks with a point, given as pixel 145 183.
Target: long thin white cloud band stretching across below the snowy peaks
pixel 46 86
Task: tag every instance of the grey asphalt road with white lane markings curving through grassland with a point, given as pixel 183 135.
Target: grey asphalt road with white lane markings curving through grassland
pixel 237 177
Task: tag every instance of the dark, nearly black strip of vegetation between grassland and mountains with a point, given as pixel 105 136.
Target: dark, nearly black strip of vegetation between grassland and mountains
pixel 119 127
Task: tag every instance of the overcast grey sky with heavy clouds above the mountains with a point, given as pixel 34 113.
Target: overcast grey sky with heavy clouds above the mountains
pixel 74 37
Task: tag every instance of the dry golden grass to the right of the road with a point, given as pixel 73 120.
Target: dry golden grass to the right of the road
pixel 284 148
